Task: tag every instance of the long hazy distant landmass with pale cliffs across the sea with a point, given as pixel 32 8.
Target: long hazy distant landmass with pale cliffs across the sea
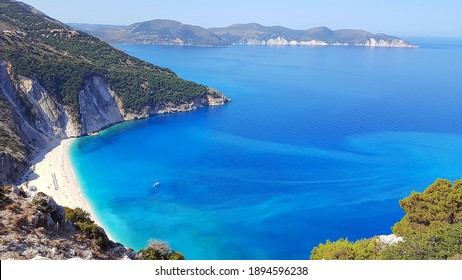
pixel 169 32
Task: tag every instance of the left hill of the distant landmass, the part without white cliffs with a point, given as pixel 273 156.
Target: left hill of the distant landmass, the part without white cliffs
pixel 155 32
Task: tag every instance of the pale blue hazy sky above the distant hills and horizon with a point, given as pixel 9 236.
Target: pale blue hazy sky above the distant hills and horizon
pixel 394 17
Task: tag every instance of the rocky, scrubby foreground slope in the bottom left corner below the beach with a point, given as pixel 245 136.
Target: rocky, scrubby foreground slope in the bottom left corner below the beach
pixel 35 228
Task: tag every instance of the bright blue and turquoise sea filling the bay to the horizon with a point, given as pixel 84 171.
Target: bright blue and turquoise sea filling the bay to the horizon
pixel 319 143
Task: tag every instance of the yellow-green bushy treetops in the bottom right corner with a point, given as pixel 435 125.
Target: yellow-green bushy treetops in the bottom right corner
pixel 431 230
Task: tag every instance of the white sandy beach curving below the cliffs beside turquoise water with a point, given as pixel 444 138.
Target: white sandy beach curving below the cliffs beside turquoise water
pixel 52 173
